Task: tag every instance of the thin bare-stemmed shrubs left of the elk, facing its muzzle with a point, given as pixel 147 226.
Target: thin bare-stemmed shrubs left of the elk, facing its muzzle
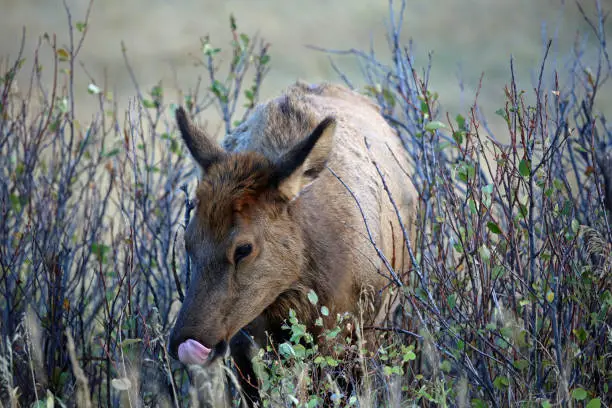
pixel 90 228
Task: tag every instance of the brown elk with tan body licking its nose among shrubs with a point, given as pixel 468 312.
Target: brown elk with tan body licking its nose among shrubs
pixel 306 194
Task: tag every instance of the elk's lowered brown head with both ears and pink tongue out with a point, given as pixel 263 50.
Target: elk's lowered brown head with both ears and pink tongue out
pixel 245 248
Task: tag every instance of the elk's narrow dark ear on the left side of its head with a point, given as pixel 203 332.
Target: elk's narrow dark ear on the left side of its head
pixel 203 149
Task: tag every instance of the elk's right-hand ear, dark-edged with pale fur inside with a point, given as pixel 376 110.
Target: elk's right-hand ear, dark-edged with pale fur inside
pixel 302 164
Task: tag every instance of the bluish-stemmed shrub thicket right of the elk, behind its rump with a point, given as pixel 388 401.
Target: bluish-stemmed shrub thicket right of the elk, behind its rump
pixel 509 293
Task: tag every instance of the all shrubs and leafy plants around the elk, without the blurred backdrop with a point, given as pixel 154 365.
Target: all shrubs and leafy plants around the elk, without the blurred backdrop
pixel 511 299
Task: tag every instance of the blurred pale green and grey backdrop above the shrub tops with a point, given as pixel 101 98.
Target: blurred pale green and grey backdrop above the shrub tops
pixel 467 37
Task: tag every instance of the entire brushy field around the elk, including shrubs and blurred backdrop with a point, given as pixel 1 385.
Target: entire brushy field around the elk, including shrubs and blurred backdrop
pixel 511 297
